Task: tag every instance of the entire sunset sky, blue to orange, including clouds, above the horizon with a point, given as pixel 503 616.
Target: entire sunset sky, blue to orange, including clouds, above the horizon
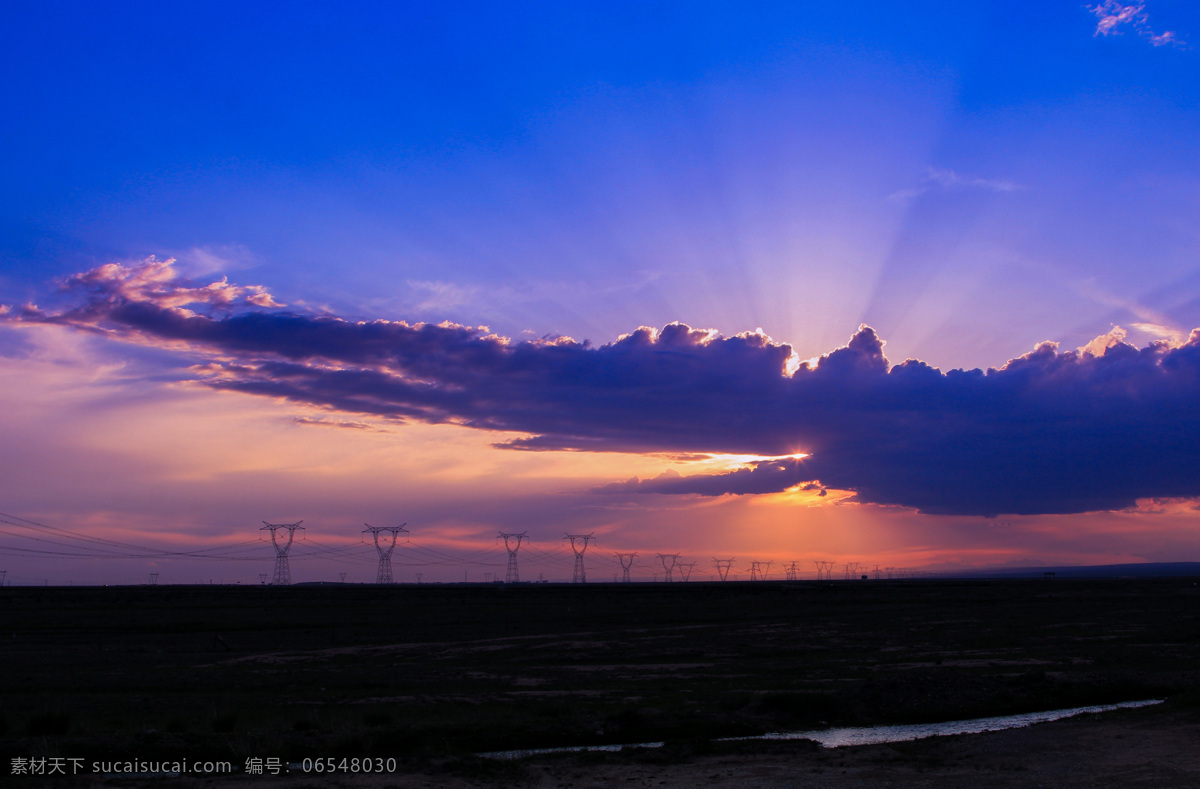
pixel 913 286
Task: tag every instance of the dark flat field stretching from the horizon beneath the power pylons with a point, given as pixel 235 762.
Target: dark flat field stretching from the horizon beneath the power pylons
pixel 433 674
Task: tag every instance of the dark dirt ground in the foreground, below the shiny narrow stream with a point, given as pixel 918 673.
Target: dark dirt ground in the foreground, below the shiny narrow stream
pixel 1125 749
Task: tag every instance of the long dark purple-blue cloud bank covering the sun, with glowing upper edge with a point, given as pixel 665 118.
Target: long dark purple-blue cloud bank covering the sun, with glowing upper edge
pixel 1049 432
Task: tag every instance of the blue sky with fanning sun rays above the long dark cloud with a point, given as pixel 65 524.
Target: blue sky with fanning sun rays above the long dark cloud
pixel 969 182
